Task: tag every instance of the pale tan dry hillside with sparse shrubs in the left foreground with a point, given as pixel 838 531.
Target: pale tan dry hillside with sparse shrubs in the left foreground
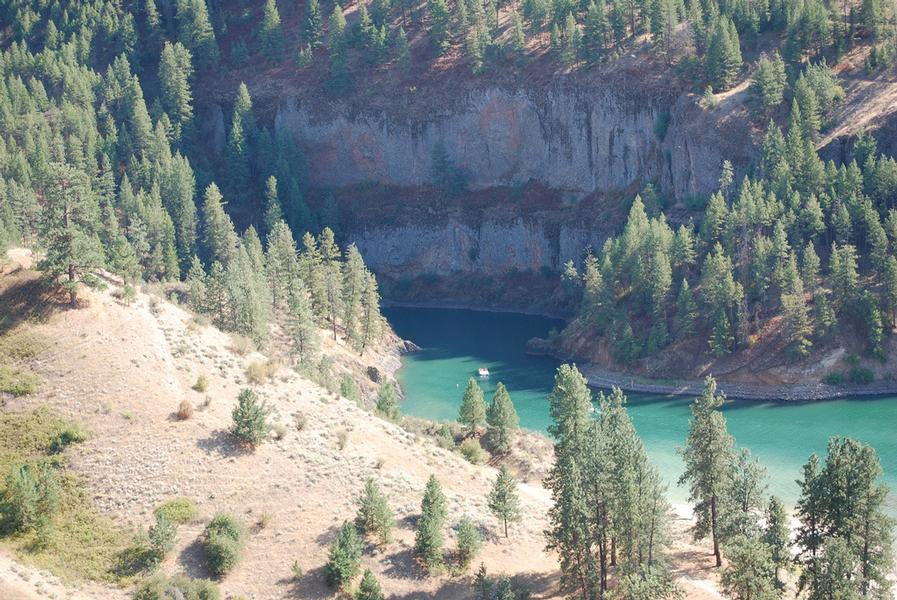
pixel 122 370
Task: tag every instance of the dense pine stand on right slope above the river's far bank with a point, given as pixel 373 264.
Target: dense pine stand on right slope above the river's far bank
pixel 810 241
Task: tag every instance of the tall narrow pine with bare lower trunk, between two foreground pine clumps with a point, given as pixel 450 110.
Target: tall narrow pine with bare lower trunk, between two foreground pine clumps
pixel 707 455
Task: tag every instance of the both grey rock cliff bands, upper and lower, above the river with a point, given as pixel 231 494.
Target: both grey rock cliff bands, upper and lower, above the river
pixel 576 143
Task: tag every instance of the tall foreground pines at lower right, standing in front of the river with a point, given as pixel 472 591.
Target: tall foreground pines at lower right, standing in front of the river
pixel 611 518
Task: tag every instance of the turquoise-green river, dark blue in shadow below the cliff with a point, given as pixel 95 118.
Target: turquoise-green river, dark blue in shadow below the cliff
pixel 455 343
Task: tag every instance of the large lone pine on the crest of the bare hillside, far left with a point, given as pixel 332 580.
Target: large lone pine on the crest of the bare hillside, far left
pixel 69 227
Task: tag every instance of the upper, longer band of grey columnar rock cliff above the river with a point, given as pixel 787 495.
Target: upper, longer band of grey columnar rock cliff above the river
pixel 567 140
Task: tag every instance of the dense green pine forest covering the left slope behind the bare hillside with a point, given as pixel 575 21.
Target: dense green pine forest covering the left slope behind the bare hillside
pixel 95 176
